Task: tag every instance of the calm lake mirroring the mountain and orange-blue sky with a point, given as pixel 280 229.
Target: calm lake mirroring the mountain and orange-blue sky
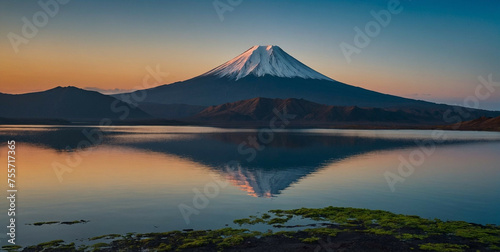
pixel 160 178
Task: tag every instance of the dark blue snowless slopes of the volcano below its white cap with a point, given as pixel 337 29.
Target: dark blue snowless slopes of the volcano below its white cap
pixel 211 90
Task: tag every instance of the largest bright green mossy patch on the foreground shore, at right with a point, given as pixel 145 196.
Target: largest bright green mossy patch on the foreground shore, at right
pixel 378 222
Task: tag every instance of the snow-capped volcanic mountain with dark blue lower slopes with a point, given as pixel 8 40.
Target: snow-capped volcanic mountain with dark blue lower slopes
pixel 268 71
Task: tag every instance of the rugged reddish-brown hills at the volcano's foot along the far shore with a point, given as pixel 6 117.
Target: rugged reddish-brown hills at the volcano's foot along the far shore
pixel 258 111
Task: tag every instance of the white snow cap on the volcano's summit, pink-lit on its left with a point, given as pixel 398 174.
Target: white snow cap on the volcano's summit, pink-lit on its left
pixel 265 60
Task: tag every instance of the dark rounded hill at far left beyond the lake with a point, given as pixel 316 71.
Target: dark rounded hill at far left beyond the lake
pixel 66 103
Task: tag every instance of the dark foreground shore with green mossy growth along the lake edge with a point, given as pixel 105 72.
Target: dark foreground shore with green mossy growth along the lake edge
pixel 334 229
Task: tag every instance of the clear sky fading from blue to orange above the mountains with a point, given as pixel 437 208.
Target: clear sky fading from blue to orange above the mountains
pixel 429 50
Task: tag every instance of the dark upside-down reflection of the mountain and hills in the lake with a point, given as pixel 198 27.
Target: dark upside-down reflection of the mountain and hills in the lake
pixel 273 167
